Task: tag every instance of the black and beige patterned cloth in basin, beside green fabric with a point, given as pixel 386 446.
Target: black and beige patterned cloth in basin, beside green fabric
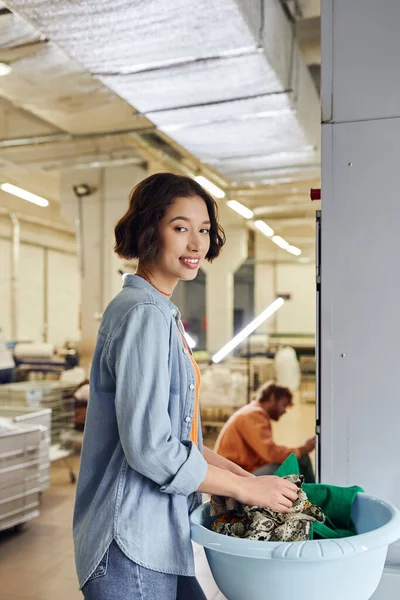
pixel 263 524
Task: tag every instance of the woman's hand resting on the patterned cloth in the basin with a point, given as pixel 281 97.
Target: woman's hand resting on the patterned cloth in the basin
pixel 269 491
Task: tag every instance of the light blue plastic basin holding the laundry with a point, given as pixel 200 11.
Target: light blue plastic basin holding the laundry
pixel 339 569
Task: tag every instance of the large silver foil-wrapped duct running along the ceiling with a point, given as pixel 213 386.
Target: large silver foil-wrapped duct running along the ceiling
pixel 225 79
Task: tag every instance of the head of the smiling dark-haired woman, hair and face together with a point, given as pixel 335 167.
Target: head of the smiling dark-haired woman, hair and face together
pixel 171 222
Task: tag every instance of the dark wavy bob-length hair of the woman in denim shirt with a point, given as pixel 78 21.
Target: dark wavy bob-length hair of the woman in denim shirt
pixel 136 233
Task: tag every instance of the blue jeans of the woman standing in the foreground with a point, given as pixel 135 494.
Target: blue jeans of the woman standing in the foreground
pixel 119 578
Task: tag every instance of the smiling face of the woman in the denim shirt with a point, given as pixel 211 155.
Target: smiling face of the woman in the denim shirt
pixel 184 237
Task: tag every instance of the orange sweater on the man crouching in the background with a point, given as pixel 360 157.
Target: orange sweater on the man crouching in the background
pixel 246 439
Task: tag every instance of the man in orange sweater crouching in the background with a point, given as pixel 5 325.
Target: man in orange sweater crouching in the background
pixel 246 438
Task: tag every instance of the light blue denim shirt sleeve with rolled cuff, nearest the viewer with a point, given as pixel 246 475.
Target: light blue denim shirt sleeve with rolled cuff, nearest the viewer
pixel 138 354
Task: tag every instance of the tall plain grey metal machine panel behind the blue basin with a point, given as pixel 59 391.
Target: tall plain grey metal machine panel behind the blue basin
pixel 359 334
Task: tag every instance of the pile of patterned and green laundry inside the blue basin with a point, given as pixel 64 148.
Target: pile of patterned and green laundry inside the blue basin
pixel 320 512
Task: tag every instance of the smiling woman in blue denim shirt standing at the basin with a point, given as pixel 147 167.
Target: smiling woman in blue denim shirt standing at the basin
pixel 143 463
